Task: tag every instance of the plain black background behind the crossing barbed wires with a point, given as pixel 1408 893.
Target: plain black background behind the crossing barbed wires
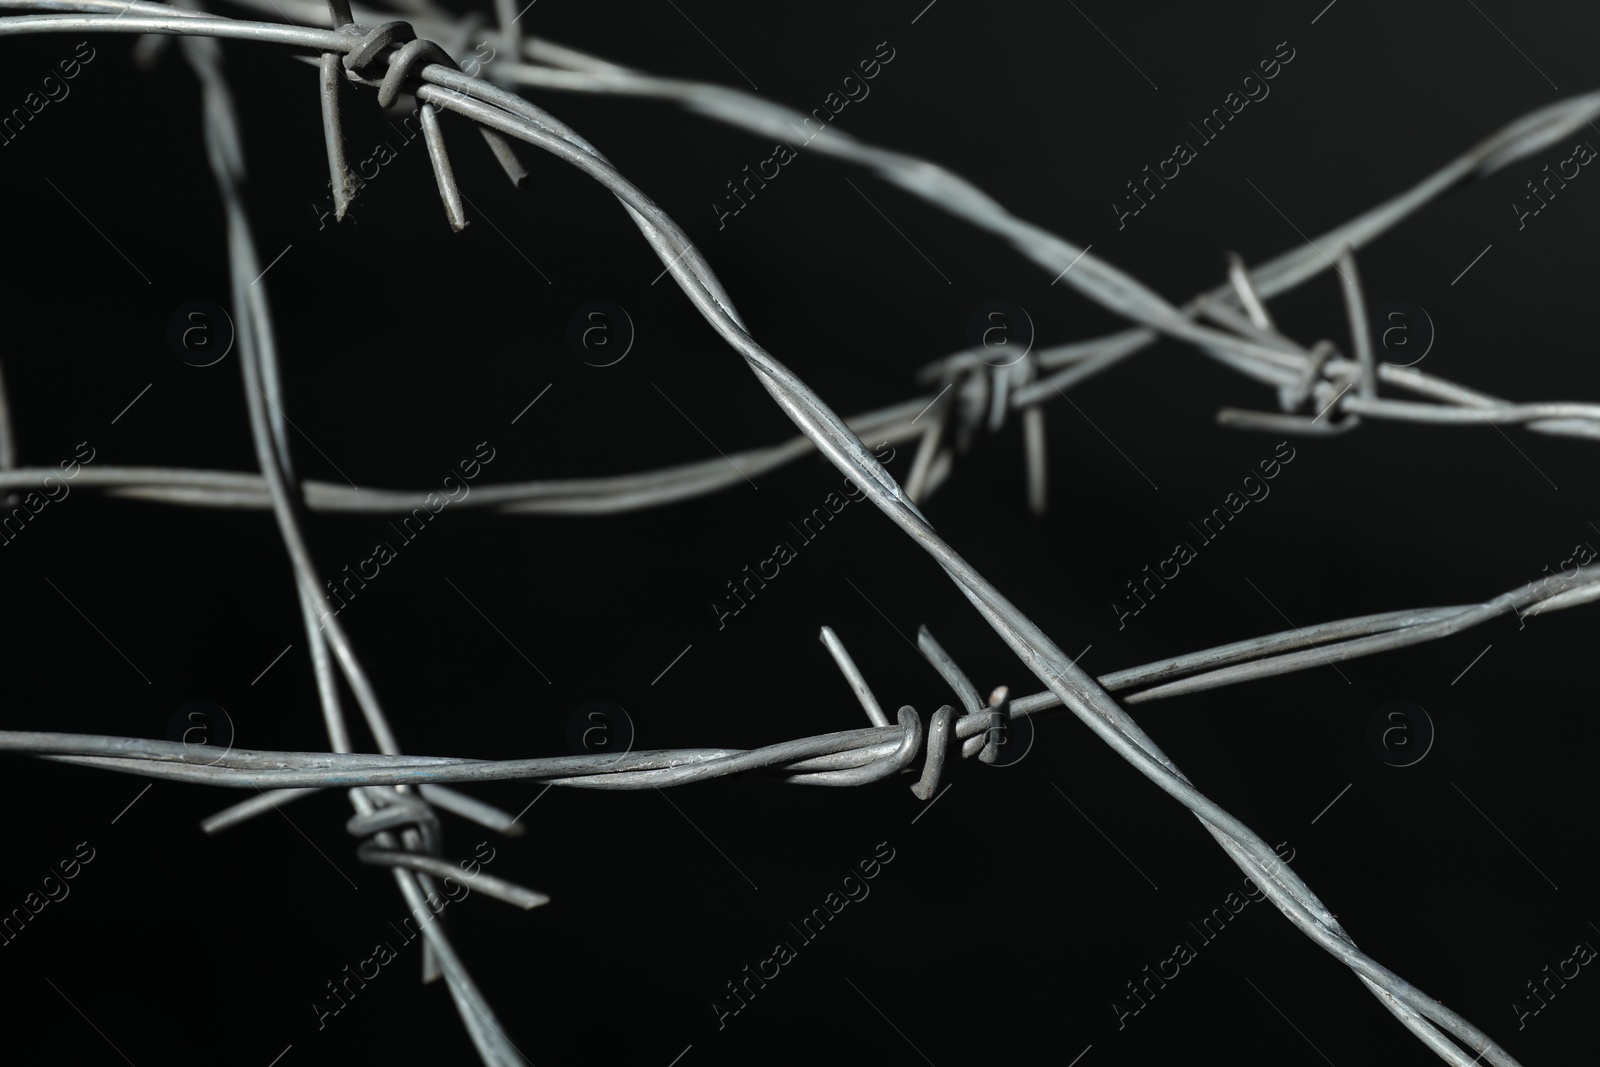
pixel 1015 913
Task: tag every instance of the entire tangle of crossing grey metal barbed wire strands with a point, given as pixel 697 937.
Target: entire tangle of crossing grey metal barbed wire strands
pixel 391 791
